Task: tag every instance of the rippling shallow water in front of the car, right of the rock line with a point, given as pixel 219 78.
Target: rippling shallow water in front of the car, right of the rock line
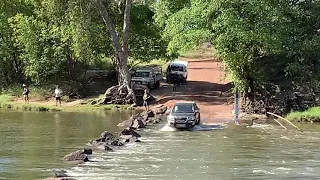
pixel 227 154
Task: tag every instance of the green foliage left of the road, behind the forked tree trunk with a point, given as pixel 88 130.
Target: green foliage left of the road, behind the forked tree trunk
pixel 45 41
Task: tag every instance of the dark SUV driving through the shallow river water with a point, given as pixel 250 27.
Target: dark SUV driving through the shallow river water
pixel 184 115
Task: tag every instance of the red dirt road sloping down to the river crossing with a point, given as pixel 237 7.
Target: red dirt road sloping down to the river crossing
pixel 206 84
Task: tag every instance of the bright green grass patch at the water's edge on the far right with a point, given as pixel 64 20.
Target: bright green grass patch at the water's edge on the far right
pixel 310 115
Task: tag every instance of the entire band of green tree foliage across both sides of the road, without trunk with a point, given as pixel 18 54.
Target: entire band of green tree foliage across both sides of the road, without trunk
pixel 267 45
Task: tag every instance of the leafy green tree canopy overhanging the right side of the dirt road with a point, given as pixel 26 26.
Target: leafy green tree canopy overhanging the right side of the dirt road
pixel 262 42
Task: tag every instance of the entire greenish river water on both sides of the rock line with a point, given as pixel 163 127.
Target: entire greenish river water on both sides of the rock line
pixel 32 145
